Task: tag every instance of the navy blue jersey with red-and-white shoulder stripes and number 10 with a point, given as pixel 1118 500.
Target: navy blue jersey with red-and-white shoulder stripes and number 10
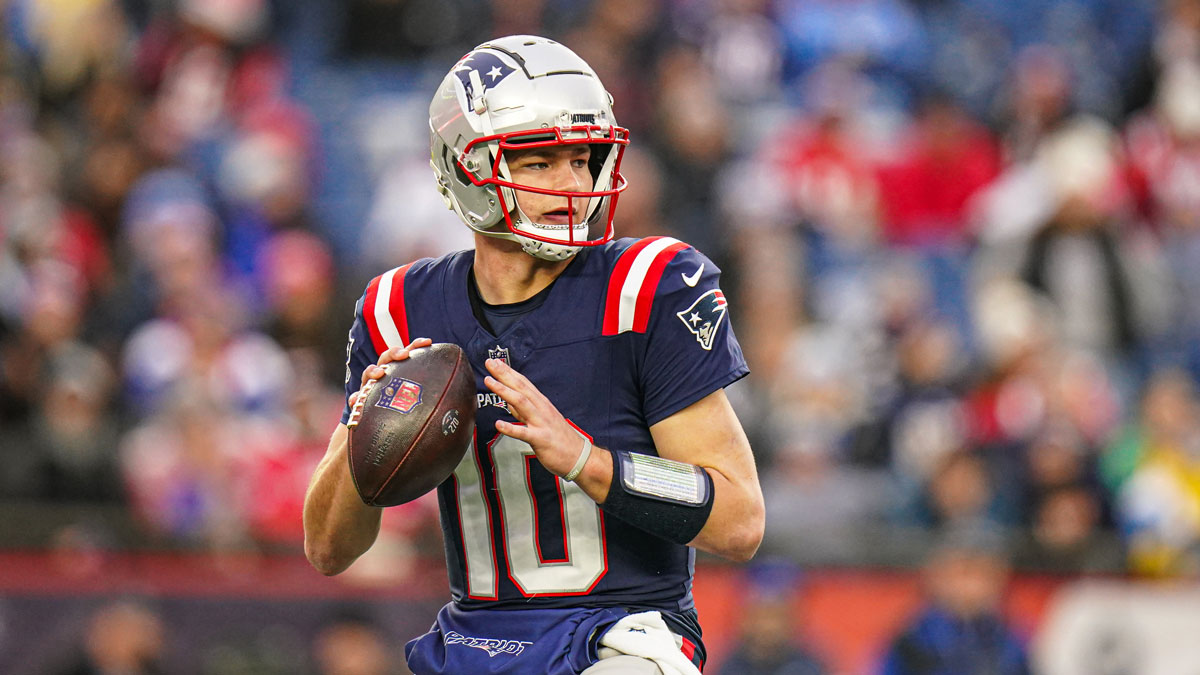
pixel 629 334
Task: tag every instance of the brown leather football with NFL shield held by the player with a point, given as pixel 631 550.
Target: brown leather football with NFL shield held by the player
pixel 413 427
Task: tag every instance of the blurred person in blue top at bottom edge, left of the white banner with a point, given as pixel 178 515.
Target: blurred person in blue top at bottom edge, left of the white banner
pixel 962 630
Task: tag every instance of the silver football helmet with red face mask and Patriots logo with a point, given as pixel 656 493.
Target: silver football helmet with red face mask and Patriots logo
pixel 520 93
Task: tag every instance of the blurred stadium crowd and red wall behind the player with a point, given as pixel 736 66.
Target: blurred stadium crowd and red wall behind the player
pixel 961 238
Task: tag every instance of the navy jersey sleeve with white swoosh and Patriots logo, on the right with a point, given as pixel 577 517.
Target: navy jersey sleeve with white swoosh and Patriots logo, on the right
pixel 691 347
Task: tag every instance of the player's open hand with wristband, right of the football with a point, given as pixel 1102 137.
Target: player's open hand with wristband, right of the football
pixel 554 440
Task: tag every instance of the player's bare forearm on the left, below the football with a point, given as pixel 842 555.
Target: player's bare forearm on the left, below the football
pixel 339 528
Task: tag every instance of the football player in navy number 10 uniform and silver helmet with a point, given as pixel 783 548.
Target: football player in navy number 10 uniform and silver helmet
pixel 605 449
